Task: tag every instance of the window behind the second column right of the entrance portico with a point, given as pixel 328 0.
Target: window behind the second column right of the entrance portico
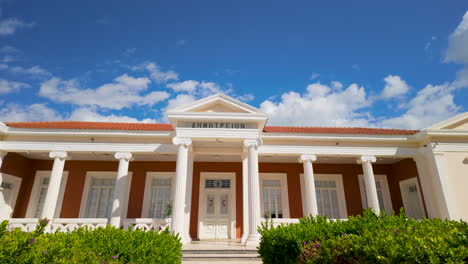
pixel 383 193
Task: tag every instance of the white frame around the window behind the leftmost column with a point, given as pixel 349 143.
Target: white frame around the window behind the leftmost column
pixel 34 199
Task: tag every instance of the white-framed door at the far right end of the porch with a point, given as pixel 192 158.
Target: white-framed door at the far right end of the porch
pixel 412 198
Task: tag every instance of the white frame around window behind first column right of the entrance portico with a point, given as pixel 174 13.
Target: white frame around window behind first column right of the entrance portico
pixel 338 178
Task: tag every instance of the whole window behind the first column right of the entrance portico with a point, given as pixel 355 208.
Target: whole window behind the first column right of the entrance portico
pixel 329 193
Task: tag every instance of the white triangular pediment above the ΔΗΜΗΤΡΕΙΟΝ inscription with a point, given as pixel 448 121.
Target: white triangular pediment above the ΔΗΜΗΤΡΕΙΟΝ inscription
pixel 218 103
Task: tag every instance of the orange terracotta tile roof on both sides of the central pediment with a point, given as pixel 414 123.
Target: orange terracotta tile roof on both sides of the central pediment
pixel 168 127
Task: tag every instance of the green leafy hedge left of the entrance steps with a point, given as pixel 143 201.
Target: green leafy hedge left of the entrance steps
pixel 103 245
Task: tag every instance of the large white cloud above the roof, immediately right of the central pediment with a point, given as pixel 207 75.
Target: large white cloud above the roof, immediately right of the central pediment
pixel 319 106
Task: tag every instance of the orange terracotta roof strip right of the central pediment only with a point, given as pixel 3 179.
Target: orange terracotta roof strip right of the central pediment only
pixel 339 130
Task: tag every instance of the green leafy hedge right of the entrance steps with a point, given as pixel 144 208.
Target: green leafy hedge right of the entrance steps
pixel 365 239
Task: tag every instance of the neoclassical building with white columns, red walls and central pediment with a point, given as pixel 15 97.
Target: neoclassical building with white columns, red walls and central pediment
pixel 217 171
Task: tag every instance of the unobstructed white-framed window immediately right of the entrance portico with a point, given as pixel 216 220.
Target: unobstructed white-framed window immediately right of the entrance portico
pixel 274 195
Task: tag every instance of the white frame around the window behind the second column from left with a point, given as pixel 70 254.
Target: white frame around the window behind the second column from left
pixel 102 175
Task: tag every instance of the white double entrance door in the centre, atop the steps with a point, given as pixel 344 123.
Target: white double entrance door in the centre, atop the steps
pixel 217 206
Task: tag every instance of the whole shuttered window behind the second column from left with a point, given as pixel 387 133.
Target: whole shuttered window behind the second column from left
pixel 98 194
